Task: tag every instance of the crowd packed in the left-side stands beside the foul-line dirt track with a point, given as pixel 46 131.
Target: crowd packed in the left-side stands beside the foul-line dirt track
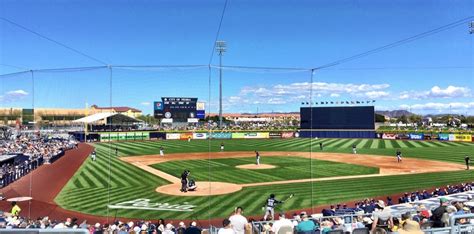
pixel 34 151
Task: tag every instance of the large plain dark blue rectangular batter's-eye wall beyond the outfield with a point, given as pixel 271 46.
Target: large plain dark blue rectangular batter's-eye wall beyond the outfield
pixel 337 122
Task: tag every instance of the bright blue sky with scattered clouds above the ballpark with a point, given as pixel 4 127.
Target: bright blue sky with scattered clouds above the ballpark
pixel 431 75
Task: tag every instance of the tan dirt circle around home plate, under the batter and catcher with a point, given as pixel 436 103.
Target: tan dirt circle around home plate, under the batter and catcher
pixel 203 189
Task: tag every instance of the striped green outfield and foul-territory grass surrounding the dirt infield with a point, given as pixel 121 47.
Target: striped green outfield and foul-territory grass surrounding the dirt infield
pixel 91 189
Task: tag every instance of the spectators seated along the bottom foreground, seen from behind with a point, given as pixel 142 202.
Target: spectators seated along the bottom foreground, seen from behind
pixel 376 220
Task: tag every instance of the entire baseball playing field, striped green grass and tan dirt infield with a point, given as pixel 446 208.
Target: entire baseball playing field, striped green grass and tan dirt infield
pixel 138 183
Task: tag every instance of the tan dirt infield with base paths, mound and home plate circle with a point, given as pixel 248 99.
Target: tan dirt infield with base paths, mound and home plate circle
pixel 387 166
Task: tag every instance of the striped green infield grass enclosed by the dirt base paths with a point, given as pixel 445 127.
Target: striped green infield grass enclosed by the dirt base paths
pixel 287 168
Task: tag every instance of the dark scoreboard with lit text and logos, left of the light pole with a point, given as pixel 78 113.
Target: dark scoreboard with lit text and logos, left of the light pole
pixel 179 109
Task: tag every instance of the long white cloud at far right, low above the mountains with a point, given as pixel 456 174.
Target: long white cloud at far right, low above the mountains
pixel 437 92
